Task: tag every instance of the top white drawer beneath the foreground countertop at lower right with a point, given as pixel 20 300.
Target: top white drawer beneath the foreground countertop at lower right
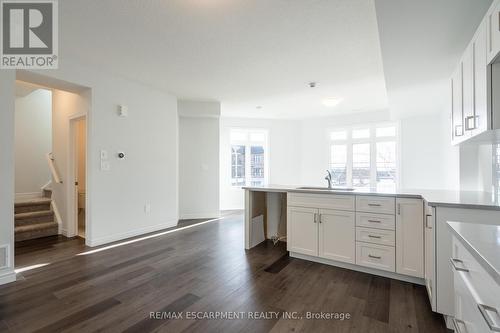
pixel 484 287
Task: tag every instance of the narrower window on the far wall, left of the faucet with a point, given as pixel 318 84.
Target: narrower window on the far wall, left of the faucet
pixel 248 157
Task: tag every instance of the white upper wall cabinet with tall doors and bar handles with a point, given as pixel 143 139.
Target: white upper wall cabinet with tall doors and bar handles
pixel 469 90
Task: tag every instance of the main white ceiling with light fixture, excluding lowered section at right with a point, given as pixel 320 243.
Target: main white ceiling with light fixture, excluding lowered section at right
pixel 242 53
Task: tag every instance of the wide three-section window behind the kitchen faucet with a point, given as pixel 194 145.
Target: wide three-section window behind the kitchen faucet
pixel 365 156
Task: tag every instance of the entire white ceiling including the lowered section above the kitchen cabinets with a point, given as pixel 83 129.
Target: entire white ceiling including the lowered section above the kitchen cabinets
pixel 265 52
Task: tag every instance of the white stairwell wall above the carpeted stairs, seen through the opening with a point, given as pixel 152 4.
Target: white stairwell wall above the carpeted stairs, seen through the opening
pixel 33 139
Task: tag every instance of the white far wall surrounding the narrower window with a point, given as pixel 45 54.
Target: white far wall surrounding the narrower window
pixel 284 142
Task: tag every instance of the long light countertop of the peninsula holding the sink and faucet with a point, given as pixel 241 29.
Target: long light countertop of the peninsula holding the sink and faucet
pixel 459 199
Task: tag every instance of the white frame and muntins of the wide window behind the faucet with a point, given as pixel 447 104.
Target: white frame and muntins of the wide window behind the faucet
pixel 372 140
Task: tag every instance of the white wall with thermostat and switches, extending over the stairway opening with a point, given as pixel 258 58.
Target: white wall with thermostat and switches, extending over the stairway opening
pixel 116 199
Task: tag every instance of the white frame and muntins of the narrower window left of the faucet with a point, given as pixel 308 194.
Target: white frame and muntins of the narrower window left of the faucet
pixel 248 158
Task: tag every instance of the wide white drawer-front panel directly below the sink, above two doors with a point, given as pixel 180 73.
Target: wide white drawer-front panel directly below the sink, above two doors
pixel 326 201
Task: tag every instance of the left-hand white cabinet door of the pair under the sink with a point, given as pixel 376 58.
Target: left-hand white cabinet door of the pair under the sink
pixel 302 225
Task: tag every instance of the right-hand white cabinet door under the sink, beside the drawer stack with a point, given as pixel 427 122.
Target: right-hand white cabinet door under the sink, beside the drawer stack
pixel 337 235
